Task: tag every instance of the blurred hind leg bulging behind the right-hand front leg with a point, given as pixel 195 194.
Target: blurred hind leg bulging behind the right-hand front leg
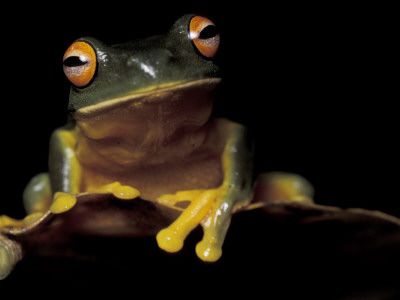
pixel 277 187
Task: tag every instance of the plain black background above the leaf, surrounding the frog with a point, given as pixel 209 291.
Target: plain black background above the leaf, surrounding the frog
pixel 311 81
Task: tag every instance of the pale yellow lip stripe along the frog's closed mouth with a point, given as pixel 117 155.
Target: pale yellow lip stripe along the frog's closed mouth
pixel 153 94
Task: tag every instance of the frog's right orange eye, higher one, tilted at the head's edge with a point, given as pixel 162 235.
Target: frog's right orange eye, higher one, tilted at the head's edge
pixel 204 35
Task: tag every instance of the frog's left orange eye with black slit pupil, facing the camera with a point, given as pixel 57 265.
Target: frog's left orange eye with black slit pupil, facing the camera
pixel 79 63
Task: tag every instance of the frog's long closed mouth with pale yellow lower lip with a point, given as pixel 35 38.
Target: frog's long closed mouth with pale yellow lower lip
pixel 168 92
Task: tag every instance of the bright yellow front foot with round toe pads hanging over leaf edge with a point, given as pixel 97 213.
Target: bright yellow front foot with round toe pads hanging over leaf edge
pixel 210 208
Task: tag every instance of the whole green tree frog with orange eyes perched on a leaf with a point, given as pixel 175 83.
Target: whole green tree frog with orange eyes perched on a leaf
pixel 141 126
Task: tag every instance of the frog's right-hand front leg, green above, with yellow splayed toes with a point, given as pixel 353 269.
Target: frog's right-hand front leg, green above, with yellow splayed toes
pixel 213 208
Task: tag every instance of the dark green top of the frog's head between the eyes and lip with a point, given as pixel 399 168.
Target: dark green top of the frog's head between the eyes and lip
pixel 171 58
